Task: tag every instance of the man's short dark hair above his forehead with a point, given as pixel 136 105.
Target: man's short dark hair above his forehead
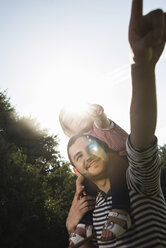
pixel 73 139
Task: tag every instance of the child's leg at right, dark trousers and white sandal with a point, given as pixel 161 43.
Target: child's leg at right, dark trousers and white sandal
pixel 118 219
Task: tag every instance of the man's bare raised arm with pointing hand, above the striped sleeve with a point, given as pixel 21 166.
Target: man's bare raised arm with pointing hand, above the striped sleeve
pixel 147 39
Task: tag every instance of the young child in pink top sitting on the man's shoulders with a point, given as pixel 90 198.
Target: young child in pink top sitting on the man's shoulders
pixel 95 123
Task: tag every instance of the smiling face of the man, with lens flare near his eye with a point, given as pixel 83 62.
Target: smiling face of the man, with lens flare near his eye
pixel 88 157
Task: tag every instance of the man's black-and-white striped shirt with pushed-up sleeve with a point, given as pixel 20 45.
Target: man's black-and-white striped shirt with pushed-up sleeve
pixel 148 207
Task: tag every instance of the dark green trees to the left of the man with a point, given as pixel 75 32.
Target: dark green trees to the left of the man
pixel 36 184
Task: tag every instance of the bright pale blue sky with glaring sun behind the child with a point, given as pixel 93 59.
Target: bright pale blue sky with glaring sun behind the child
pixel 54 51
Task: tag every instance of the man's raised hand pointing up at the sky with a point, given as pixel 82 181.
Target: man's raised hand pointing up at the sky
pixel 147 34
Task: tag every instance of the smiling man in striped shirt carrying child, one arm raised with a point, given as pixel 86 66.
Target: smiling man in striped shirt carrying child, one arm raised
pixel 147 36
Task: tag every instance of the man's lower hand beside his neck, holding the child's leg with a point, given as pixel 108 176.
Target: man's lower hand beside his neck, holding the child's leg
pixel 80 205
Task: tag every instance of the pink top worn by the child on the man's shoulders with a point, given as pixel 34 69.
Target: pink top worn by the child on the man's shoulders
pixel 114 136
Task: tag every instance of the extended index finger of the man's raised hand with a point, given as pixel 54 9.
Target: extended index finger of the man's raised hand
pixel 136 11
